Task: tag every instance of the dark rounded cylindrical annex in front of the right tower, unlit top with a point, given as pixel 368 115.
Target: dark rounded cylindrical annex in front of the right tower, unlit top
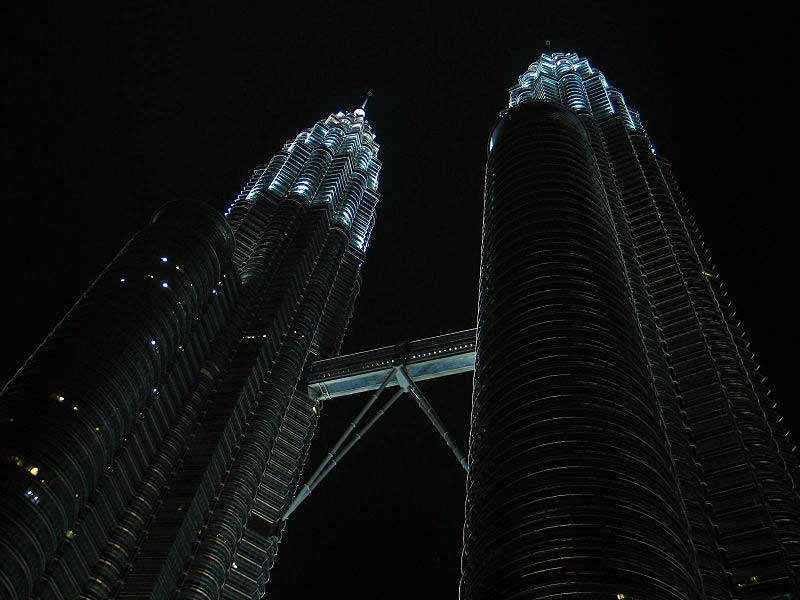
pixel 571 488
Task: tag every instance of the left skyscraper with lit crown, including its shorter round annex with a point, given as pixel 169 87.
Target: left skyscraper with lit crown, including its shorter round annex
pixel 155 438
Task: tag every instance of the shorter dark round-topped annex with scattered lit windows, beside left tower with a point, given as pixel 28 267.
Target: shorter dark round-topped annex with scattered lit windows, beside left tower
pixel 88 410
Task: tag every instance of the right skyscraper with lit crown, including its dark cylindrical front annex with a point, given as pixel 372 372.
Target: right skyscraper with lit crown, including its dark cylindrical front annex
pixel 623 443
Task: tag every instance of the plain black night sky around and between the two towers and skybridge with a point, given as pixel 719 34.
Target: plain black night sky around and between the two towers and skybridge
pixel 111 114
